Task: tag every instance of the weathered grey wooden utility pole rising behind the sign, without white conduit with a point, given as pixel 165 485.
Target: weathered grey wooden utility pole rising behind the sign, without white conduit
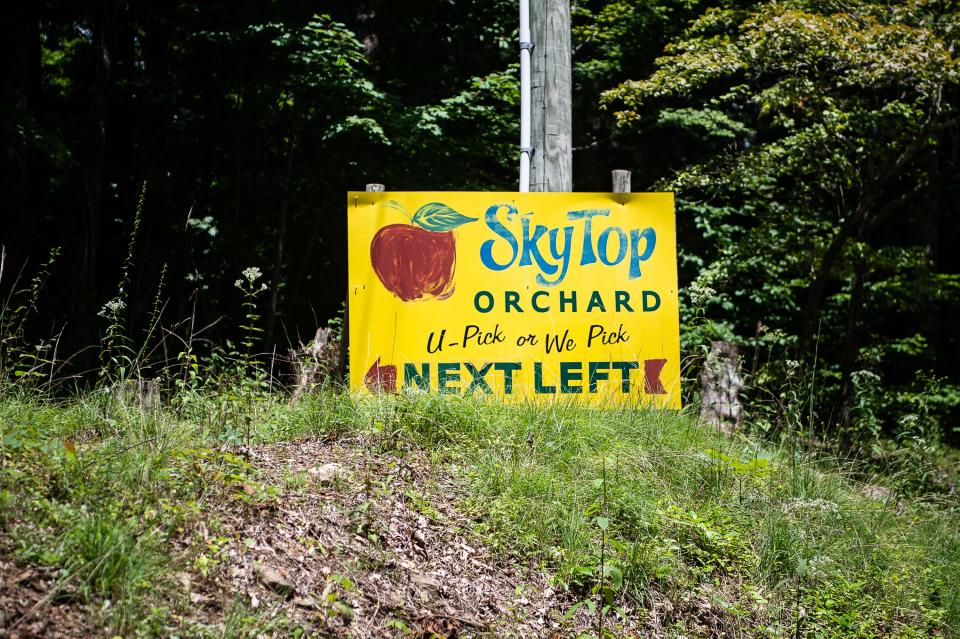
pixel 551 164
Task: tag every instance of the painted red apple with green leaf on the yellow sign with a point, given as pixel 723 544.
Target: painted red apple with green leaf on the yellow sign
pixel 417 261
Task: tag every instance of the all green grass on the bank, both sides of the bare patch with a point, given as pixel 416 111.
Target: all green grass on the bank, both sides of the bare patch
pixel 642 515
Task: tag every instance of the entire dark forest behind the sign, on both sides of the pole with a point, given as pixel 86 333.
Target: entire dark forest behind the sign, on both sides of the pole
pixel 152 152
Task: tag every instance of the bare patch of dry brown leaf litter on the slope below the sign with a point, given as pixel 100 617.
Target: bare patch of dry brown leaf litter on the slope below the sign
pixel 356 546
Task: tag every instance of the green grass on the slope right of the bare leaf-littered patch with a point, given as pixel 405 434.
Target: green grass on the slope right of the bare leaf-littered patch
pixel 690 512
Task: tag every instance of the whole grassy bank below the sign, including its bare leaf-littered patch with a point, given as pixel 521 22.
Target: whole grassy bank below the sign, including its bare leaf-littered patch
pixel 417 516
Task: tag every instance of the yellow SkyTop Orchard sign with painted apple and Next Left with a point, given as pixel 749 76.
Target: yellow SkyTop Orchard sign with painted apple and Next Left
pixel 523 296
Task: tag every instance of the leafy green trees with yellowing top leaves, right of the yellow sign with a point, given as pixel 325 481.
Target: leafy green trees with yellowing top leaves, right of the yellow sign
pixel 819 131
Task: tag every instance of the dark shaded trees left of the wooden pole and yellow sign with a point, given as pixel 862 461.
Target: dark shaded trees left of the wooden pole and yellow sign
pixel 249 122
